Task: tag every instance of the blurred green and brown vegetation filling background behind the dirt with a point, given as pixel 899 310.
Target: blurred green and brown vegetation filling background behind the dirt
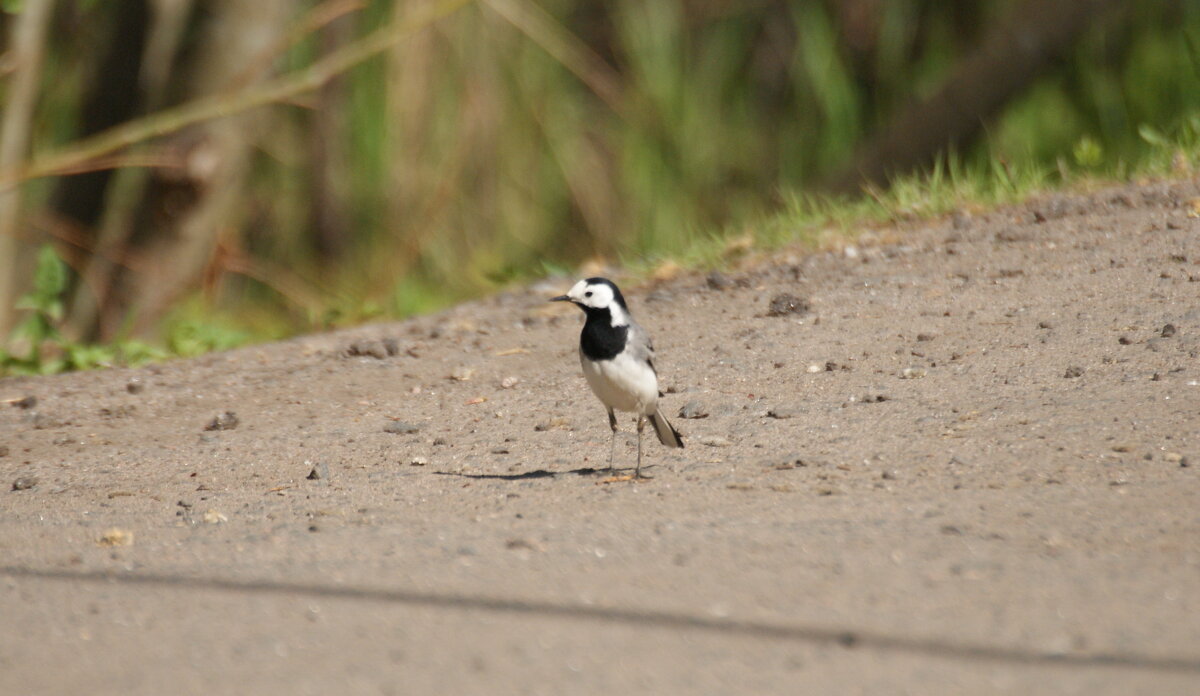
pixel 407 155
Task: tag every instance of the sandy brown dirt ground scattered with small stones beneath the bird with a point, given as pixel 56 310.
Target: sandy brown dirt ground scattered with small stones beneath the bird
pixel 971 466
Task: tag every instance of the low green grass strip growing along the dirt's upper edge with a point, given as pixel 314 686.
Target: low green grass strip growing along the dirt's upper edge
pixel 805 223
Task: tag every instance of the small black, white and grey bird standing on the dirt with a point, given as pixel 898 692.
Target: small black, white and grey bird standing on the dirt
pixel 619 362
